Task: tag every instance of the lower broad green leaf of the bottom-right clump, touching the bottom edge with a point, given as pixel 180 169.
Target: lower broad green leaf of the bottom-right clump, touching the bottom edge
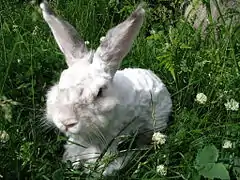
pixel 214 170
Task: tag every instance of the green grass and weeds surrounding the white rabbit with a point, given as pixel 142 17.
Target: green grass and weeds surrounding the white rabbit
pixel 186 61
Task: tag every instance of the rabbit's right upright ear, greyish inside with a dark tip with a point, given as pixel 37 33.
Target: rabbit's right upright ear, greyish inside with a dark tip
pixel 118 41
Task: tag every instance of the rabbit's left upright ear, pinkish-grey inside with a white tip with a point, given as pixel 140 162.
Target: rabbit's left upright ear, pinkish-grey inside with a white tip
pixel 65 35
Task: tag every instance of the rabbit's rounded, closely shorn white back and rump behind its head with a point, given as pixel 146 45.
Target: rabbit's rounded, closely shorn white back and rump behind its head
pixel 143 91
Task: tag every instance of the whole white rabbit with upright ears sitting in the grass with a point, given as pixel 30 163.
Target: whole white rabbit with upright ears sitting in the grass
pixel 93 101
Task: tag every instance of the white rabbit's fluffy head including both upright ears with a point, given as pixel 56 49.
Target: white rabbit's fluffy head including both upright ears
pixel 84 94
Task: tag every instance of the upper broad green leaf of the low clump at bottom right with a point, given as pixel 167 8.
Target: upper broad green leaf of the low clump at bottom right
pixel 209 154
